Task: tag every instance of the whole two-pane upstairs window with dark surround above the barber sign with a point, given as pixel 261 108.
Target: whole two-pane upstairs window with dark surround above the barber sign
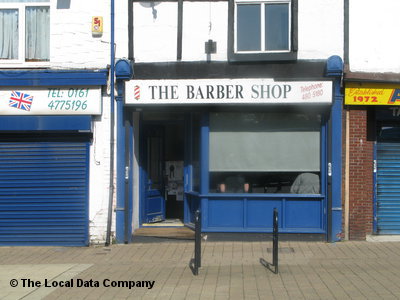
pixel 262 30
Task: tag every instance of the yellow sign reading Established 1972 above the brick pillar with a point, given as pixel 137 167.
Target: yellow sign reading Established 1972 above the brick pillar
pixel 372 94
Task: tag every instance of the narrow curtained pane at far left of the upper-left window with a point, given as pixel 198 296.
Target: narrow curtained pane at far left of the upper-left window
pixel 8 34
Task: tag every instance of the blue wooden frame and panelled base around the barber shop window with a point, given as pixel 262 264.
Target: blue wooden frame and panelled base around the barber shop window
pixel 252 212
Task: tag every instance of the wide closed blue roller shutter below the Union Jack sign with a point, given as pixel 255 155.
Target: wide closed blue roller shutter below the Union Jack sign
pixel 44 193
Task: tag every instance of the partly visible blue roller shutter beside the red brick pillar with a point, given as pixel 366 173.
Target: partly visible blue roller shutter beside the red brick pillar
pixel 388 188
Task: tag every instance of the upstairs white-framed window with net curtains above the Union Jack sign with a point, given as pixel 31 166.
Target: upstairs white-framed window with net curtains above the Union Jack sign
pixel 24 30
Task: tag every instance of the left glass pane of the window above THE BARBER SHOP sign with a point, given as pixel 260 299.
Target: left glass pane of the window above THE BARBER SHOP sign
pixel 248 27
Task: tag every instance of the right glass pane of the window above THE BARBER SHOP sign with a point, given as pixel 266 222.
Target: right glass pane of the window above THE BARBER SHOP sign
pixel 277 27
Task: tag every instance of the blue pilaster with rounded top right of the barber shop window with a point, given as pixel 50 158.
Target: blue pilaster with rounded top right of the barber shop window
pixel 334 69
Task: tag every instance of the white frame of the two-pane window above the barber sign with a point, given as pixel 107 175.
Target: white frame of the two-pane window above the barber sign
pixel 262 46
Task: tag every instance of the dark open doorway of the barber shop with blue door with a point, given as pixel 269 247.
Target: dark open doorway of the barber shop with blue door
pixel 162 163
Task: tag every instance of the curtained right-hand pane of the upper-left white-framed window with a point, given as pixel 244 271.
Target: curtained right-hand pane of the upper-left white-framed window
pixel 37 33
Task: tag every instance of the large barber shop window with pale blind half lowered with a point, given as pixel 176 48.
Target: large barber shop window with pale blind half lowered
pixel 265 153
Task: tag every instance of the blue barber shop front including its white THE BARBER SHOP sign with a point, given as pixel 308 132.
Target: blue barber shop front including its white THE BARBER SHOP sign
pixel 234 149
